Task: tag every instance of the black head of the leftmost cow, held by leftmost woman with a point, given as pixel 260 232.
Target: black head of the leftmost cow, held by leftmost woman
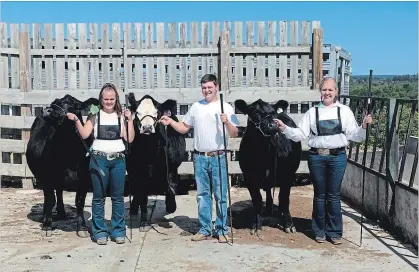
pixel 56 112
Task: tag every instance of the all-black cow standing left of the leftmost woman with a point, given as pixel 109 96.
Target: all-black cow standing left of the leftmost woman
pixel 56 156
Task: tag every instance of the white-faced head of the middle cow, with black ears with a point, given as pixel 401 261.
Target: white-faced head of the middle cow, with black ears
pixel 147 111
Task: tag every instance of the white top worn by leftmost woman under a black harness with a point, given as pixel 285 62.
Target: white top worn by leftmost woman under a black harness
pixel 107 146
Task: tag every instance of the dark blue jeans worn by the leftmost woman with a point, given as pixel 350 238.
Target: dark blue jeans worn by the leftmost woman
pixel 114 178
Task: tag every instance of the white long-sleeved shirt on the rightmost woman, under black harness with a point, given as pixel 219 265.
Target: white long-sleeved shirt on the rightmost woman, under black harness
pixel 352 132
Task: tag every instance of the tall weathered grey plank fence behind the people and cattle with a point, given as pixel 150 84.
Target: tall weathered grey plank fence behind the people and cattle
pixel 281 60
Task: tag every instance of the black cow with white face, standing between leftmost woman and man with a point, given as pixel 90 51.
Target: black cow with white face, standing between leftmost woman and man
pixel 150 172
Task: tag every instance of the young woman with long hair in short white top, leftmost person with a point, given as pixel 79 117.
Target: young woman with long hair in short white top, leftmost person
pixel 107 124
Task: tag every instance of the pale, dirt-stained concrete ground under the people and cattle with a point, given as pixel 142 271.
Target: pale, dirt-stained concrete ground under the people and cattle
pixel 167 247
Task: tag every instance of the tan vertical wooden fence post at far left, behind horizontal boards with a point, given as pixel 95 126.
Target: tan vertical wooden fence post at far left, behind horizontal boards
pixel 25 86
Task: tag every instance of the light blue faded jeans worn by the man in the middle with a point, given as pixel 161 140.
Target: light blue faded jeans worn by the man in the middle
pixel 211 179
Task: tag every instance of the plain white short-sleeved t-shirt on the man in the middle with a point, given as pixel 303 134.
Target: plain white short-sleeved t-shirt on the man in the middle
pixel 208 129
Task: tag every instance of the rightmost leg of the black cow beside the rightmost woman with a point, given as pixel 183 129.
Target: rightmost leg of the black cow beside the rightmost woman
pixel 284 203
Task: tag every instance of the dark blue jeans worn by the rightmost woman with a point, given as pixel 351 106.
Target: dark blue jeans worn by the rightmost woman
pixel 327 174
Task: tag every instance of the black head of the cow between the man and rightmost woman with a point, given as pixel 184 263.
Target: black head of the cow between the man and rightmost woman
pixel 261 114
